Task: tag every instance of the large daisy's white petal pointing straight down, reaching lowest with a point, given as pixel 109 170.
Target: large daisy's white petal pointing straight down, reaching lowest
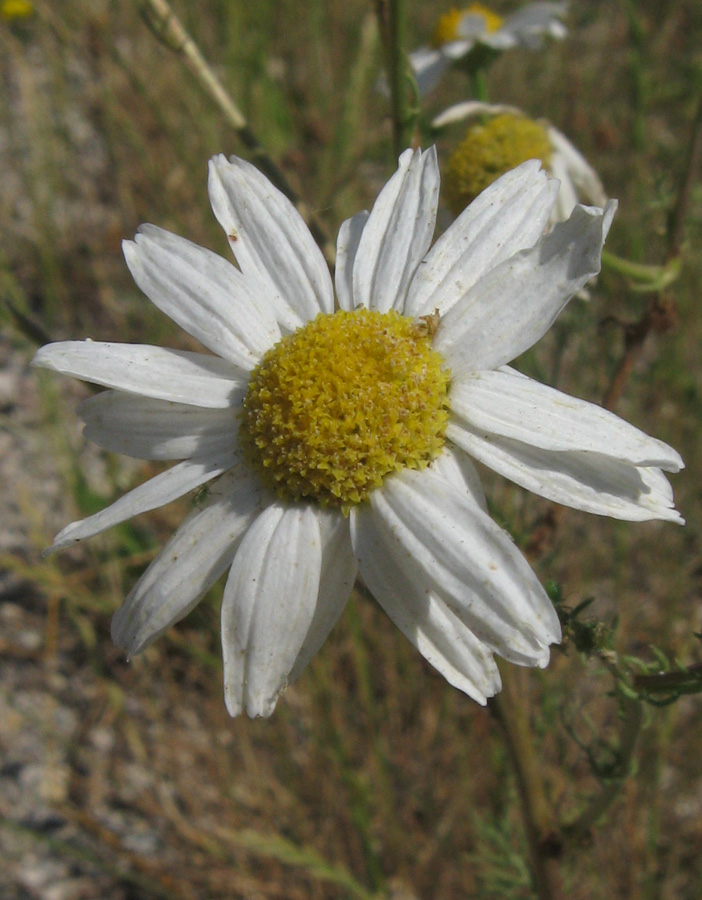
pixel 269 605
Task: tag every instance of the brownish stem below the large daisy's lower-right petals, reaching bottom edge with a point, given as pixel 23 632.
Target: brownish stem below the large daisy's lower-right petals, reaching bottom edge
pixel 511 711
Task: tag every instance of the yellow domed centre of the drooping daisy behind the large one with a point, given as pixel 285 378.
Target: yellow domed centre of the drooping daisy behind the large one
pixel 488 150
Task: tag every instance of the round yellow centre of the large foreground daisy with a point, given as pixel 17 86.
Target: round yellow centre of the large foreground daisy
pixel 342 402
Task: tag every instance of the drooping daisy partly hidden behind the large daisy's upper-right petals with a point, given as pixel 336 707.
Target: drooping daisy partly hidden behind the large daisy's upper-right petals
pixel 501 137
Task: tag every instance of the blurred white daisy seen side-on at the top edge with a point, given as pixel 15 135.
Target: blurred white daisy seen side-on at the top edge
pixel 458 31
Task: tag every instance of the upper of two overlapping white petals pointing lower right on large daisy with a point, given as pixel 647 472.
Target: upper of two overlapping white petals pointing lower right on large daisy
pixel 455 549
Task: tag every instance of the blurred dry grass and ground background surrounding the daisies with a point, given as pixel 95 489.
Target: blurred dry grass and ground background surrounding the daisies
pixel 126 780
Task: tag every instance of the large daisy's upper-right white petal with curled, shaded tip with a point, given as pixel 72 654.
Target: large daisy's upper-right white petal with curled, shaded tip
pixel 509 309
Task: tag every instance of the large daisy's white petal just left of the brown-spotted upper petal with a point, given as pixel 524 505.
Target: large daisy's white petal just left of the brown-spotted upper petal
pixel 203 293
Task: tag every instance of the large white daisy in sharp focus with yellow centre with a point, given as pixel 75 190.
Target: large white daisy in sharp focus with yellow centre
pixel 337 435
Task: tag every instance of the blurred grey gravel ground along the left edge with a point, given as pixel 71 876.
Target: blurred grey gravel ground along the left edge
pixel 45 694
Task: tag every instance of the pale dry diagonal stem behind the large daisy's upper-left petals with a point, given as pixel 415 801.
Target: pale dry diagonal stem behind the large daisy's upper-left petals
pixel 171 31
